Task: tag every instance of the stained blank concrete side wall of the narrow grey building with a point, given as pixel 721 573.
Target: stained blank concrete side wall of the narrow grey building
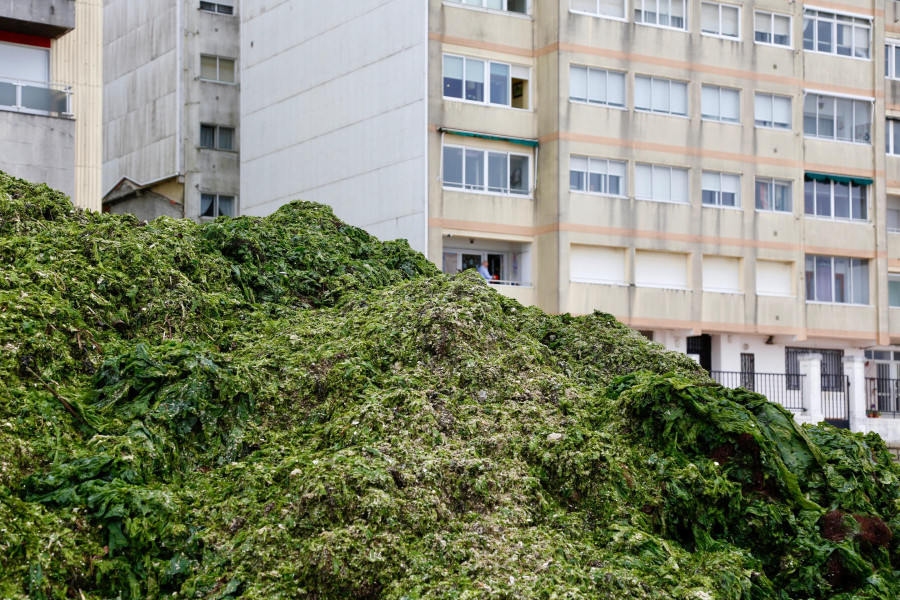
pixel 141 95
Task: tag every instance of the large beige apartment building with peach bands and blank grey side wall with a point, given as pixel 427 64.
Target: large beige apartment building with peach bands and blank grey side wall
pixel 723 176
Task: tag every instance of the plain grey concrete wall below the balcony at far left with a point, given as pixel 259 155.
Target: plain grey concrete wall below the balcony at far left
pixel 39 149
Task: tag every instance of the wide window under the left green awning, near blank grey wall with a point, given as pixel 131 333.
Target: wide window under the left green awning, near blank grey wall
pixel 486 171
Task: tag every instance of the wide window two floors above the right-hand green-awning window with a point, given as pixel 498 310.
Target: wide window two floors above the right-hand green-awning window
pixel 836 34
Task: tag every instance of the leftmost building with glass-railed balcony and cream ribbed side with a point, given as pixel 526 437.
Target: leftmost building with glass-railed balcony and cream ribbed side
pixel 49 103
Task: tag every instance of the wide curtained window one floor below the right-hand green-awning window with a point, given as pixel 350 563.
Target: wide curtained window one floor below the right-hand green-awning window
pixel 837 279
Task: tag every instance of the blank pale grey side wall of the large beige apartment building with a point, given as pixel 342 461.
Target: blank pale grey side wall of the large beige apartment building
pixel 333 110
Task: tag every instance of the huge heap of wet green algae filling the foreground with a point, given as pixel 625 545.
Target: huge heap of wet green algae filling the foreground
pixel 287 408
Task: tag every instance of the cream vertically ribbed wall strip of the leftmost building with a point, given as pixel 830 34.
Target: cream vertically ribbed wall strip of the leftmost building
pixel 78 62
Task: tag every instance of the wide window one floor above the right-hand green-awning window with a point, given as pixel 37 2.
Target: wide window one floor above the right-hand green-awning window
pixel 841 119
